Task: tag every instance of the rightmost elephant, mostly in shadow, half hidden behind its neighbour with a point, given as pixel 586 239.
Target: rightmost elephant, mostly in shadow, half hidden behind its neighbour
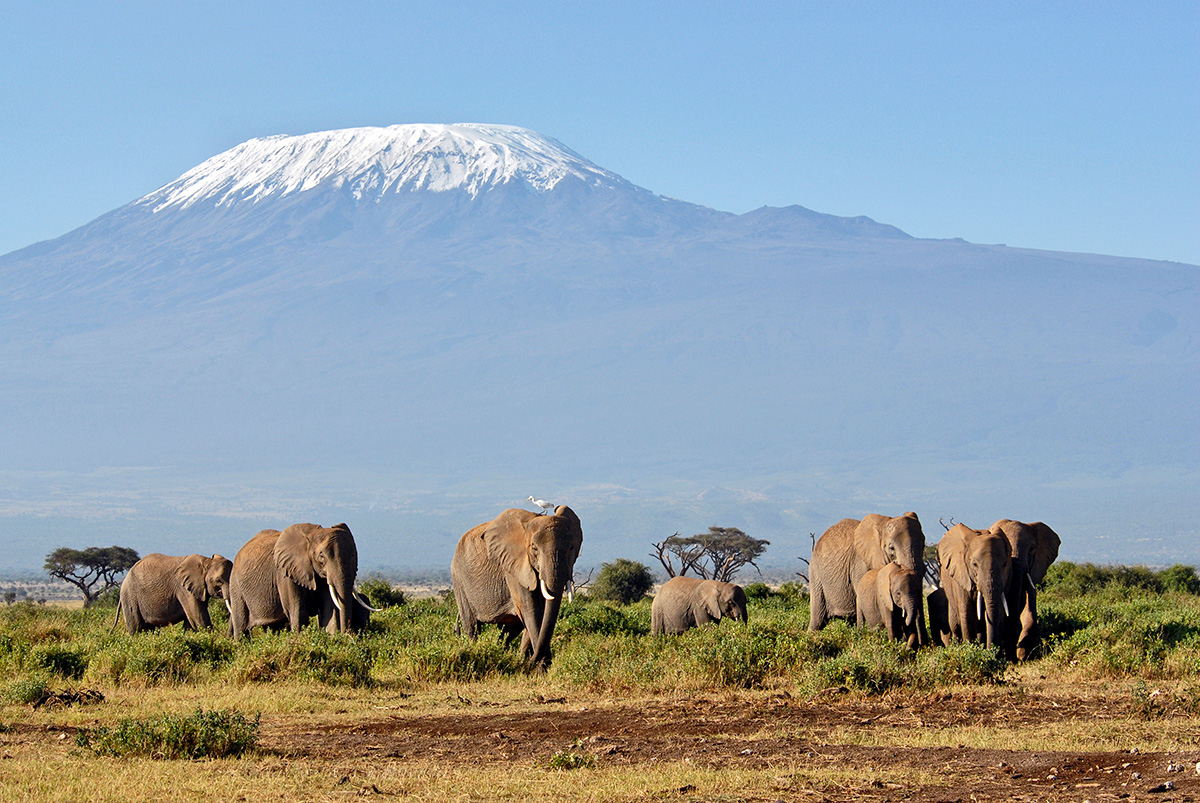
pixel 1034 548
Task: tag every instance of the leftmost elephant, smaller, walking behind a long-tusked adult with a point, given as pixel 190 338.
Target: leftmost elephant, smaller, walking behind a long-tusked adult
pixel 163 590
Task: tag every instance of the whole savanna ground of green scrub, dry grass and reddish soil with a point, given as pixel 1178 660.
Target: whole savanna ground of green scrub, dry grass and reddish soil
pixel 764 711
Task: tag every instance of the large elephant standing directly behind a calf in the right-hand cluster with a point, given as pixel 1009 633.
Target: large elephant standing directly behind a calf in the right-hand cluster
pixel 849 550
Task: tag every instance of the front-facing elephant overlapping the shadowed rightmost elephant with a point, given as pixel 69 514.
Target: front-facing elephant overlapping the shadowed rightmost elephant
pixel 976 571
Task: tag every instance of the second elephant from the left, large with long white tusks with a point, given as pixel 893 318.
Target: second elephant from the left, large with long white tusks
pixel 284 579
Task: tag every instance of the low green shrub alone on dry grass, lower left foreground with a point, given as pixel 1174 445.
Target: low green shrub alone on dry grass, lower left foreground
pixel 202 735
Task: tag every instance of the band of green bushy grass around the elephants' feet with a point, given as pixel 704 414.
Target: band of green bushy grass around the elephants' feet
pixel 1114 632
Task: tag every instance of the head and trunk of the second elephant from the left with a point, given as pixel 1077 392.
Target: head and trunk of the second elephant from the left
pixel 310 555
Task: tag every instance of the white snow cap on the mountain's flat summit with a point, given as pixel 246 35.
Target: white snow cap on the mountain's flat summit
pixel 376 161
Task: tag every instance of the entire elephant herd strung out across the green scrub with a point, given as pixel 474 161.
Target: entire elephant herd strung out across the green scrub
pixel 515 570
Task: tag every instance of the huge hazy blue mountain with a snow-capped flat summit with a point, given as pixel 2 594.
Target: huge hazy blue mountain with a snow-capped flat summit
pixel 412 328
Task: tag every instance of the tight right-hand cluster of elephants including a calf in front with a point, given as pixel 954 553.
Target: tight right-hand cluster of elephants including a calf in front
pixel 873 571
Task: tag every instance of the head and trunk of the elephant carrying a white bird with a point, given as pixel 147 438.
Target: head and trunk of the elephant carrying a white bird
pixel 538 554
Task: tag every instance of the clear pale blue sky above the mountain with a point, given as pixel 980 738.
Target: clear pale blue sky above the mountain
pixel 1071 127
